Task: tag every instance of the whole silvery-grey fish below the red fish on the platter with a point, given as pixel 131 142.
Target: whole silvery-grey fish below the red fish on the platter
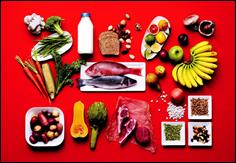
pixel 107 82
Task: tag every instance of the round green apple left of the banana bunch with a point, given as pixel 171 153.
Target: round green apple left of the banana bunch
pixel 176 53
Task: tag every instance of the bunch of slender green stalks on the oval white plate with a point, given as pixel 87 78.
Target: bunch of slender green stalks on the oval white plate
pixel 50 44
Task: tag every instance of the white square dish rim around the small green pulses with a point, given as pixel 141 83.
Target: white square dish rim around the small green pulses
pixel 181 142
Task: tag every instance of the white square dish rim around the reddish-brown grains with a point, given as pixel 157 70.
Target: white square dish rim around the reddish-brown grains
pixel 192 117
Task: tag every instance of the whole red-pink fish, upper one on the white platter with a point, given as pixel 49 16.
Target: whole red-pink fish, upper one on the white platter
pixel 107 68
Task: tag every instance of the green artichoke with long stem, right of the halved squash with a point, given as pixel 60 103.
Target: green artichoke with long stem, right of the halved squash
pixel 97 115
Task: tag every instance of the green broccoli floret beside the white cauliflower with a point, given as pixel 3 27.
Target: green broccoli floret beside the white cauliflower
pixel 53 24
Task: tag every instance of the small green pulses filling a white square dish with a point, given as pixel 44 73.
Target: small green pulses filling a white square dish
pixel 172 132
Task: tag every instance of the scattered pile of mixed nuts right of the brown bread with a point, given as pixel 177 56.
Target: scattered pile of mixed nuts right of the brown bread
pixel 124 34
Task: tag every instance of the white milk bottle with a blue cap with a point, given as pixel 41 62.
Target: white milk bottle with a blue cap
pixel 85 35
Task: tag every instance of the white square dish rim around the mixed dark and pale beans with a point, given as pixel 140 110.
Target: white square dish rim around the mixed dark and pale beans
pixel 190 133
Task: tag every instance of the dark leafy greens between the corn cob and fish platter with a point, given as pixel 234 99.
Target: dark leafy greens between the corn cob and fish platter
pixel 64 72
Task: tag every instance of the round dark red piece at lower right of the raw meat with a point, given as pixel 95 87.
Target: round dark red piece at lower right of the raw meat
pixel 142 136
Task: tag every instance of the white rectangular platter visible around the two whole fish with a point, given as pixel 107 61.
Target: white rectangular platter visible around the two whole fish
pixel 141 82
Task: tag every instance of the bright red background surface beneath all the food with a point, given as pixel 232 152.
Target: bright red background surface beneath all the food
pixel 19 94
